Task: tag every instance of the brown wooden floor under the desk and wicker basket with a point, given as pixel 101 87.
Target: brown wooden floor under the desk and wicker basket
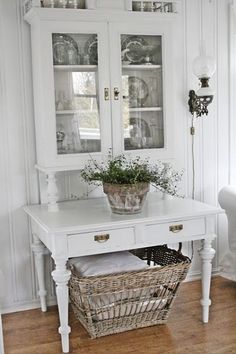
pixel 34 332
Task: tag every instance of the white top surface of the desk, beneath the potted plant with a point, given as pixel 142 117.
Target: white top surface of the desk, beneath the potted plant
pixel 84 215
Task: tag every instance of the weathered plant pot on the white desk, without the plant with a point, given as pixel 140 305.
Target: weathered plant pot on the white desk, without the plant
pixel 126 198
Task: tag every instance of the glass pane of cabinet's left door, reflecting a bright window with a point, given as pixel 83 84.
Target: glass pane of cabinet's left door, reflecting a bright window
pixel 75 59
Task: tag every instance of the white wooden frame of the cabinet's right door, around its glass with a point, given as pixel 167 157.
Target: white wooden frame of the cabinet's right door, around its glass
pixel 160 29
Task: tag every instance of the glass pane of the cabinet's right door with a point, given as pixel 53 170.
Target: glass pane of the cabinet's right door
pixel 142 91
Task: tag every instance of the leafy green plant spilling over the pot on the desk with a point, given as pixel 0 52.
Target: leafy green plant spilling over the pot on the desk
pixel 122 170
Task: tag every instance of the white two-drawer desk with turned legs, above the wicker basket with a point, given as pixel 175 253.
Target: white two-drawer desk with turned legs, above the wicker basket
pixel 71 232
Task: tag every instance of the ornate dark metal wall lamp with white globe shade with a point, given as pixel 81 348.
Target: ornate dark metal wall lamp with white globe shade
pixel 203 67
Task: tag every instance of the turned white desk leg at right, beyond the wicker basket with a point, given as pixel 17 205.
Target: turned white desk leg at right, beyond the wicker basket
pixel 207 254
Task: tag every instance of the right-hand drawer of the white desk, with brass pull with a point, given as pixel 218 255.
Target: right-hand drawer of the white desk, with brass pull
pixel 168 232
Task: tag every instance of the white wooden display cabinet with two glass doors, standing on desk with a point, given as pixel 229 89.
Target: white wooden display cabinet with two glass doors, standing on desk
pixel 102 82
